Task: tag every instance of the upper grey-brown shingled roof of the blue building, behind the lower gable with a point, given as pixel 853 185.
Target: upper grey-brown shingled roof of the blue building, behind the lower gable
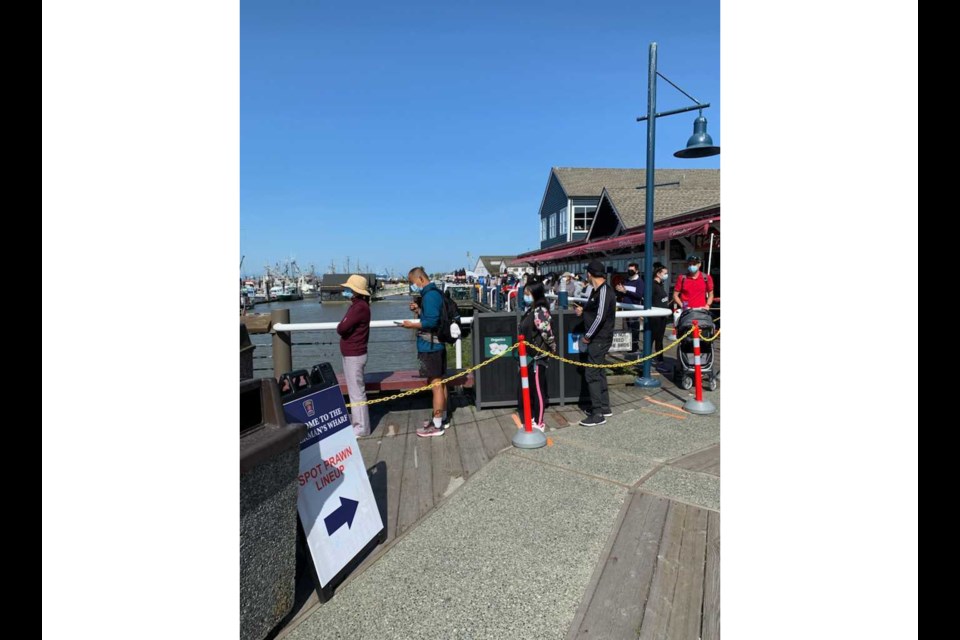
pixel 585 182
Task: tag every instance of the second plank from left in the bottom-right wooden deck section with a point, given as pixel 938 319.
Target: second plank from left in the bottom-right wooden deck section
pixel 656 615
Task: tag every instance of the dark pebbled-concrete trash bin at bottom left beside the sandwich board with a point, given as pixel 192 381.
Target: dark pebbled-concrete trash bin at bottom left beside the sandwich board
pixel 269 464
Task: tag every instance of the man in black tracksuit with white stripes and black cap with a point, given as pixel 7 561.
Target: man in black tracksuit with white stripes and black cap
pixel 598 317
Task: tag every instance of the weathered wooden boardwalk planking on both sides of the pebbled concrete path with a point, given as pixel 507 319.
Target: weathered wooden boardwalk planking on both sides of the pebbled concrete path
pixel 411 475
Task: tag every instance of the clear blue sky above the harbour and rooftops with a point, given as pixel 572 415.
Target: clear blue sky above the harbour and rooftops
pixel 406 133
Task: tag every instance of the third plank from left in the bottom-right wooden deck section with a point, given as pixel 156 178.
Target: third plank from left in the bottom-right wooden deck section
pixel 688 594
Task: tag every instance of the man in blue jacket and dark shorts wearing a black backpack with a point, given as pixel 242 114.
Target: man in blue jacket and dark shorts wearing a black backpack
pixel 433 334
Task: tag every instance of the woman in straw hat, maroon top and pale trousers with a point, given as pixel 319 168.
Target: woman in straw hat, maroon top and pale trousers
pixel 354 332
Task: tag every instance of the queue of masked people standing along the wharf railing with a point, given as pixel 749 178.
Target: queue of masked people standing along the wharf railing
pixel 692 290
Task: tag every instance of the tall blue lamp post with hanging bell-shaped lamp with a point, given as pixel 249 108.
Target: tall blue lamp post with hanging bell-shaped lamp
pixel 700 145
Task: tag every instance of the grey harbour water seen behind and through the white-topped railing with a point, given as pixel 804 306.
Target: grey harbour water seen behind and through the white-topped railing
pixel 389 349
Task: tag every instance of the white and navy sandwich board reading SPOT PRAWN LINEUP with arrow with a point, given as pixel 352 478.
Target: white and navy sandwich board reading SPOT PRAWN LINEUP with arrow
pixel 334 498
